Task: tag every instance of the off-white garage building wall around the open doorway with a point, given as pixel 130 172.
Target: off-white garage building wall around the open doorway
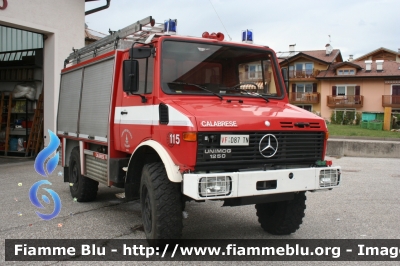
pixel 62 21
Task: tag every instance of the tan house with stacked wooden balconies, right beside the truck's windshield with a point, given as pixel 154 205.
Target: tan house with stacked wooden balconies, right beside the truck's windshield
pixel 300 71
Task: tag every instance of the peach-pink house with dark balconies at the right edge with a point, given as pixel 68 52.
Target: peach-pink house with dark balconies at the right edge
pixel 371 85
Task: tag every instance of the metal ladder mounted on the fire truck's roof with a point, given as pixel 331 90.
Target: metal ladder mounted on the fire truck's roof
pixel 138 31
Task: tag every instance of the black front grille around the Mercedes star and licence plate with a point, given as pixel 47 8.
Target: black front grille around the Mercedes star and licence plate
pixel 293 148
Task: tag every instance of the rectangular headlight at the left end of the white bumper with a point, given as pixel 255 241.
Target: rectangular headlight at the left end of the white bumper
pixel 214 186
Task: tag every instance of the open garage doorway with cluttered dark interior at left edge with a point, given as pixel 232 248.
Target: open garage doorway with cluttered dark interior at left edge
pixel 21 97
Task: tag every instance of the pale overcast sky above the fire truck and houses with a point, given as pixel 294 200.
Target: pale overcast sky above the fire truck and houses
pixel 356 27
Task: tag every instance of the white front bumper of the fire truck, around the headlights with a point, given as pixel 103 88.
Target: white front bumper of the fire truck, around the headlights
pixel 244 184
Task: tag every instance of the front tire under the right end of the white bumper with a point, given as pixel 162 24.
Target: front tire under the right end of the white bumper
pixel 283 217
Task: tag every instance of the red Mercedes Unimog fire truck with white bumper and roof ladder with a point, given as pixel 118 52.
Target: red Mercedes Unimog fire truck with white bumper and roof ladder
pixel 174 118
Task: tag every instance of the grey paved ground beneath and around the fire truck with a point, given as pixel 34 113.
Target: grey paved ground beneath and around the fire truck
pixel 366 206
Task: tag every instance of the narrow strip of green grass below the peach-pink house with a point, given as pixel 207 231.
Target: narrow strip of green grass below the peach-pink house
pixel 354 131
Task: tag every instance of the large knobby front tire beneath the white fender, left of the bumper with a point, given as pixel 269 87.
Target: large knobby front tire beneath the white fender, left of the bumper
pixel 161 205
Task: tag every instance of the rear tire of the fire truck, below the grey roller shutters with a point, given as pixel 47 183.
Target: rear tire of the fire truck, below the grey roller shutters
pixel 82 188
